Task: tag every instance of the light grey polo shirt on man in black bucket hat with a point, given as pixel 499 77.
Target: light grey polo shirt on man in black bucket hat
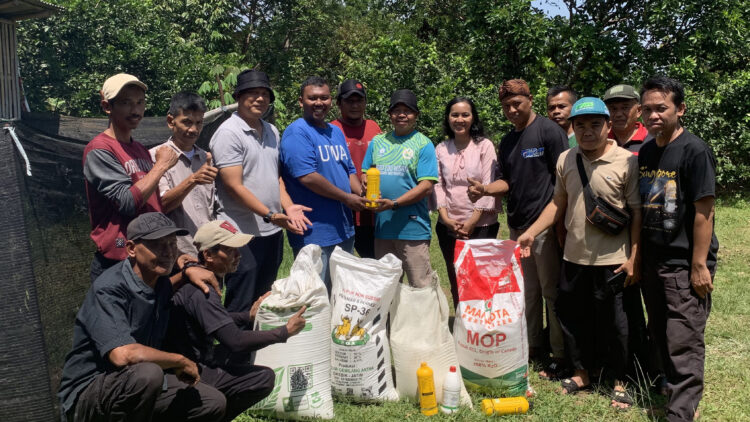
pixel 235 143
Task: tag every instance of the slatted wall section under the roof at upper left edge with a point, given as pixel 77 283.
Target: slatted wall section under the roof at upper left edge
pixel 10 96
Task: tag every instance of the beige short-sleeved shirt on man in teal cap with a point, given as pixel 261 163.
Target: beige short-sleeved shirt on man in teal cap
pixel 614 178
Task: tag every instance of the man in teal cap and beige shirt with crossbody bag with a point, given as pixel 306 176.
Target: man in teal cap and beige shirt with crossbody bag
pixel 589 306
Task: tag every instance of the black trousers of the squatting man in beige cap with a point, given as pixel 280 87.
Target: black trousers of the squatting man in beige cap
pixel 242 385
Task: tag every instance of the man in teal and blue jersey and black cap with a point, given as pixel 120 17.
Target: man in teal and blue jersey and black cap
pixel 408 171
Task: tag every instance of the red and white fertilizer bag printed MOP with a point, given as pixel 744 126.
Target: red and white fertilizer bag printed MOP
pixel 490 325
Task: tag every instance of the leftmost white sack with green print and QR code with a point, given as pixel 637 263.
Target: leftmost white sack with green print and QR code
pixel 303 364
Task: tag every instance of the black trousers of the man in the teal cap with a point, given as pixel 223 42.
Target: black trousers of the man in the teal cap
pixel 593 320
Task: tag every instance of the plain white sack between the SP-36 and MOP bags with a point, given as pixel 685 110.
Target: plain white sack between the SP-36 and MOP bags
pixel 419 333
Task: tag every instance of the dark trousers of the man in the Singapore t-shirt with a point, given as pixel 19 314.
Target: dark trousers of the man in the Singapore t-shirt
pixel 677 323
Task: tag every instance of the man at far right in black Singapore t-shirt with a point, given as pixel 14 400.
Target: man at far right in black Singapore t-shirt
pixel 679 246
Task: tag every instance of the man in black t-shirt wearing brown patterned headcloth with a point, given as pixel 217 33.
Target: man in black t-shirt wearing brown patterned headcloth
pixel 525 173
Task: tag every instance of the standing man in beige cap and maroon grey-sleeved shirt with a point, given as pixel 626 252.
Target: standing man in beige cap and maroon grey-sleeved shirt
pixel 120 177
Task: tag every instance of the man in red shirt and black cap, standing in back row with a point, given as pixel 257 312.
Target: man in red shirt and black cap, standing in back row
pixel 352 100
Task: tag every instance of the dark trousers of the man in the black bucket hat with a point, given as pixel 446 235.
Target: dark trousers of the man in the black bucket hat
pixel 259 263
